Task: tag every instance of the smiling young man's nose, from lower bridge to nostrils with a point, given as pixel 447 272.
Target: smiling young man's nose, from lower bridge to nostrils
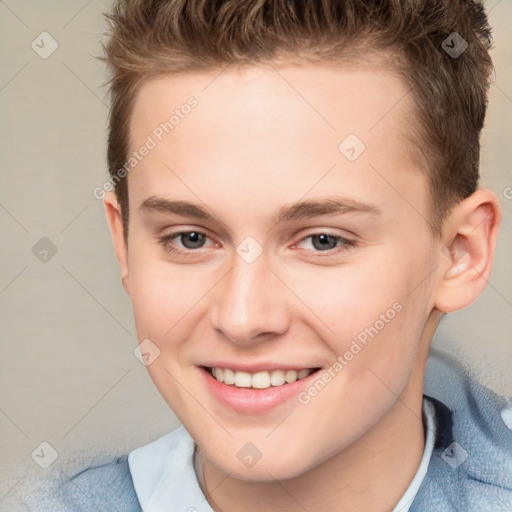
pixel 251 303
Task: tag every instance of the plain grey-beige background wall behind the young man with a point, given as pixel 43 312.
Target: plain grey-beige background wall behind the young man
pixel 68 375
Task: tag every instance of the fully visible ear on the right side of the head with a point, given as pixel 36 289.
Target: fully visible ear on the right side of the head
pixel 469 241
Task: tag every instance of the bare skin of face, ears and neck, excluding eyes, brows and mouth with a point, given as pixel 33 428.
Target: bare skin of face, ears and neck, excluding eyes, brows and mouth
pixel 264 137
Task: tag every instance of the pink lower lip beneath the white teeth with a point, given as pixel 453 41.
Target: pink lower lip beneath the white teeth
pixel 250 400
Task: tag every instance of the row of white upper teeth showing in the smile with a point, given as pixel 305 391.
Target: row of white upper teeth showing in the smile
pixel 259 380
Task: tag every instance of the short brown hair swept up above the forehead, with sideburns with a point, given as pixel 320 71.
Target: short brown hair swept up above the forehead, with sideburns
pixel 148 38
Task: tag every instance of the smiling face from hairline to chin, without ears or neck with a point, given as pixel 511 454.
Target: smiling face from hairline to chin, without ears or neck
pixel 302 252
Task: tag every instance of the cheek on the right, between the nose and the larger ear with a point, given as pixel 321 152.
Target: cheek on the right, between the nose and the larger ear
pixel 375 318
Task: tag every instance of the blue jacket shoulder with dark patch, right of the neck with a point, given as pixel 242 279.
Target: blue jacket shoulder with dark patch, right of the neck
pixel 471 466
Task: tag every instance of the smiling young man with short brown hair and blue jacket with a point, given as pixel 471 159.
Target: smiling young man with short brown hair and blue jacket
pixel 294 205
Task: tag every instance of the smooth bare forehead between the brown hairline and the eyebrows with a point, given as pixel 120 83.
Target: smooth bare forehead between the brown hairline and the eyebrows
pixel 269 130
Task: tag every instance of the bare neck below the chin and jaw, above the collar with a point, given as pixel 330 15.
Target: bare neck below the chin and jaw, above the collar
pixel 372 474
